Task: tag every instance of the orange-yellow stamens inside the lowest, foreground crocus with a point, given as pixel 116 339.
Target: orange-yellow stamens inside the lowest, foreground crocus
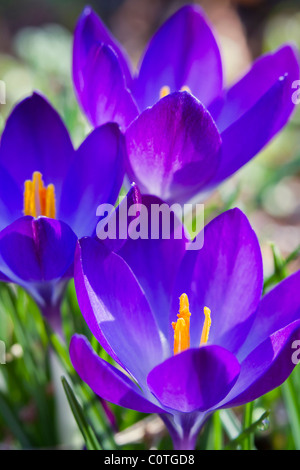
pixel 182 326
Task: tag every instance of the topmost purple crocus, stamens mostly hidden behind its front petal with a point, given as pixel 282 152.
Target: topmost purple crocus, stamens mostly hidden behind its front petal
pixel 183 56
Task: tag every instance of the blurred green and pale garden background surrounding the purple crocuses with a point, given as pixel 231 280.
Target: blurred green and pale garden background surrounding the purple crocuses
pixel 35 54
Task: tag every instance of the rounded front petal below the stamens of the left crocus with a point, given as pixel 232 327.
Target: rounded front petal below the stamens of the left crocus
pixel 36 252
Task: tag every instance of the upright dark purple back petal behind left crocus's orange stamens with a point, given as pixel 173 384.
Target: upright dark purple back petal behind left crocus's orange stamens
pixel 35 139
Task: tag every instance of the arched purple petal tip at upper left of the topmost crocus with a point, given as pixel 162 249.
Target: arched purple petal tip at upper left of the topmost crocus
pixel 90 30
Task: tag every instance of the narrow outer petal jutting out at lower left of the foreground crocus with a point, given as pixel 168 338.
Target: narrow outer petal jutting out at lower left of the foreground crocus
pixel 105 380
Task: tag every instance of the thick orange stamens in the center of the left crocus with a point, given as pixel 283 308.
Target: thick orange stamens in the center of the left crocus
pixel 38 199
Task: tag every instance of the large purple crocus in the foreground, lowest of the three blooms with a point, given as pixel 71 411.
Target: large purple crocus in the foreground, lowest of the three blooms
pixel 226 347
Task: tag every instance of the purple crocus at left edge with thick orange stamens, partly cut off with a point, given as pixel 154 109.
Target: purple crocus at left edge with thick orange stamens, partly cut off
pixel 49 193
